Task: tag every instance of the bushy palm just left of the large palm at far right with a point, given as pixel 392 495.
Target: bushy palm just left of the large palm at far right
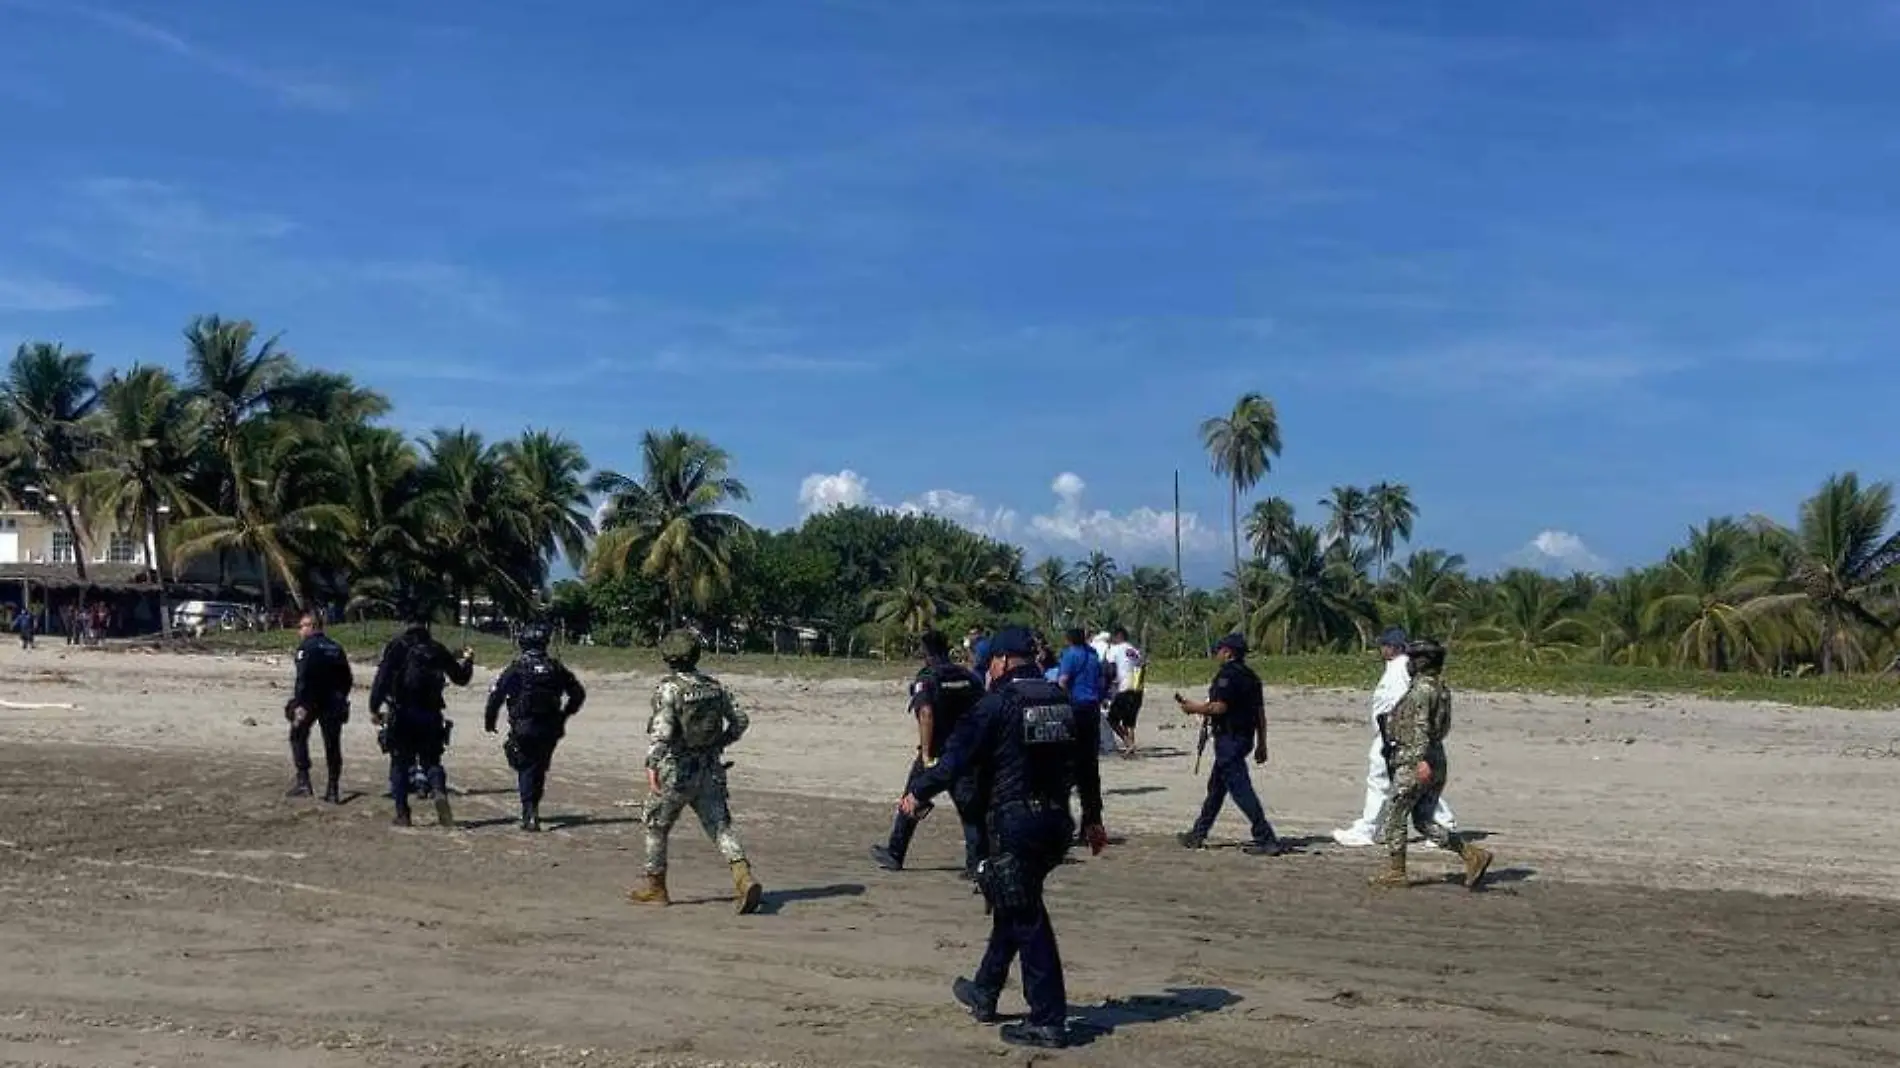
pixel 1711 582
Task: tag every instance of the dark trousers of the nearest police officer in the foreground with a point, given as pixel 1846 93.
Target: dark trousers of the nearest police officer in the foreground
pixel 1036 841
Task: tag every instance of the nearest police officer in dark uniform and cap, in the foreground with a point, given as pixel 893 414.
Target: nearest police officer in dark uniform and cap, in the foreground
pixel 1029 750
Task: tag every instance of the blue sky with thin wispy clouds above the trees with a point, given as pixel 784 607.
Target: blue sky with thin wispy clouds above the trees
pixel 1582 275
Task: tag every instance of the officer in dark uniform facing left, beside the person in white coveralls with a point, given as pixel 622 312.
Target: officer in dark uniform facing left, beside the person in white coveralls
pixel 1236 715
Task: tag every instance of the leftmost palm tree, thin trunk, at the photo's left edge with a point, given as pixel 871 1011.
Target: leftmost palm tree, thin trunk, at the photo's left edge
pixel 52 396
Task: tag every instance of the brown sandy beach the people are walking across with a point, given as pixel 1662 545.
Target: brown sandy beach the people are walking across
pixel 162 904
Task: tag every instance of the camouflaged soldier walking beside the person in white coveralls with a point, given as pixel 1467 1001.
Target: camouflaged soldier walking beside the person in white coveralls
pixel 1415 736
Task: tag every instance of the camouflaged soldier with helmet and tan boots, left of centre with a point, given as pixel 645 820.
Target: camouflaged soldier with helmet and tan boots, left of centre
pixel 694 721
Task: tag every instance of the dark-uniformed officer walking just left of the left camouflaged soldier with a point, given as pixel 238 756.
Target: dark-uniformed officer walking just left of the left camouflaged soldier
pixel 541 695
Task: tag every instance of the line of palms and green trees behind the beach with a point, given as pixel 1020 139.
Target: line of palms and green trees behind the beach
pixel 250 453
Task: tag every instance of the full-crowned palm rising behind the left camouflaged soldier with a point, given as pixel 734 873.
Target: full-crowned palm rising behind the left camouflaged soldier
pixel 674 520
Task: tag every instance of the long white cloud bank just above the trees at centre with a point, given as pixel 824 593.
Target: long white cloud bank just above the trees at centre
pixel 1069 527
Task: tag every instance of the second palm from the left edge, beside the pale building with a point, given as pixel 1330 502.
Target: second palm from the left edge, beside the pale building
pixel 143 459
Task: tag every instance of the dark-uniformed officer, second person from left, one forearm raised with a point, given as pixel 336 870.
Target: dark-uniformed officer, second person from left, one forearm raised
pixel 411 679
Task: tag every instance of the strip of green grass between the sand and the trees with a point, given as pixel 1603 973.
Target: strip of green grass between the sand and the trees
pixel 1316 672
